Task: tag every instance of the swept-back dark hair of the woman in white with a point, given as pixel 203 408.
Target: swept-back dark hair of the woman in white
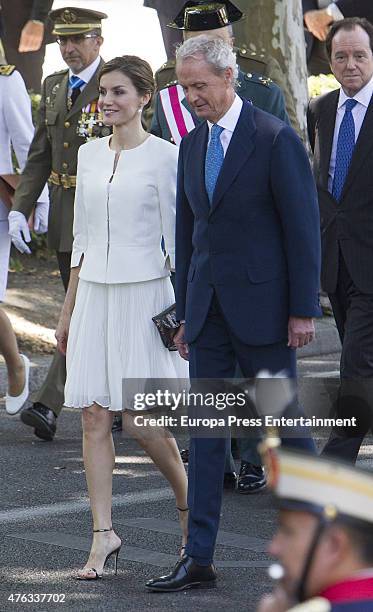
pixel 136 69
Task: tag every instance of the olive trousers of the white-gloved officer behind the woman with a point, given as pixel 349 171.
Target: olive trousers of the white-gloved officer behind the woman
pixel 51 393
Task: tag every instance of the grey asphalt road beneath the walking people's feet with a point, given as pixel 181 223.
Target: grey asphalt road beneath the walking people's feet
pixel 45 524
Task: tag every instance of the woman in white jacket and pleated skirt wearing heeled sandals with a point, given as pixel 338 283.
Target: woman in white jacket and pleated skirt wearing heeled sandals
pixel 120 278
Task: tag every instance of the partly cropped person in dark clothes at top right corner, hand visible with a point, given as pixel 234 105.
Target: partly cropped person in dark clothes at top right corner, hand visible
pixel 318 17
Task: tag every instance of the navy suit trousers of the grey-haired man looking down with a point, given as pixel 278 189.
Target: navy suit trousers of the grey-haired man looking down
pixel 214 355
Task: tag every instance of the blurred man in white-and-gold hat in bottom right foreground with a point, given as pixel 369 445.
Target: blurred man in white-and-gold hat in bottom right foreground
pixel 324 539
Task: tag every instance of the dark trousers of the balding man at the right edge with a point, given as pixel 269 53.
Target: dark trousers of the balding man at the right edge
pixel 353 312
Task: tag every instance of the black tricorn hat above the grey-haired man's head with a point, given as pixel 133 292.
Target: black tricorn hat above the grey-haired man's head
pixel 199 15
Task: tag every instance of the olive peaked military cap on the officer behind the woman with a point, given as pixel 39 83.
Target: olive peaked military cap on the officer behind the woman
pixel 70 20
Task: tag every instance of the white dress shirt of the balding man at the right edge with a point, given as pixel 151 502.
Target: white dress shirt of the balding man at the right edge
pixel 363 98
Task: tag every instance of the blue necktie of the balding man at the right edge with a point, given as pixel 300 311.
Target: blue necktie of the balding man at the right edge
pixel 345 149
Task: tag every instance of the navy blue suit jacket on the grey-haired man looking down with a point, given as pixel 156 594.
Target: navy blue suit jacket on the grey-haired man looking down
pixel 258 245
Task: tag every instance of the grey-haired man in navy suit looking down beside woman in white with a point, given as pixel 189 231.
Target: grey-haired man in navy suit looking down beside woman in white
pixel 247 264
